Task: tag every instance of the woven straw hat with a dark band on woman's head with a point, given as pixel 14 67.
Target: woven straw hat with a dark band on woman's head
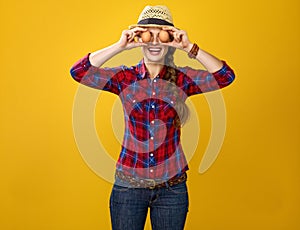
pixel 154 16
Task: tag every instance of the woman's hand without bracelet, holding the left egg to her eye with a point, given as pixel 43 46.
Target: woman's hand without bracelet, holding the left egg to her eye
pixel 128 41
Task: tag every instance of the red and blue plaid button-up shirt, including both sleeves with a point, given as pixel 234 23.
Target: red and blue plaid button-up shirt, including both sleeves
pixel 151 146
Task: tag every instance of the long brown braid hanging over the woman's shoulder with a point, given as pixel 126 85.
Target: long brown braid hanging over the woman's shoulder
pixel 171 76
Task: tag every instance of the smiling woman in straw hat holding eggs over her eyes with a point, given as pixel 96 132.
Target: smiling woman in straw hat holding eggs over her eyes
pixel 151 169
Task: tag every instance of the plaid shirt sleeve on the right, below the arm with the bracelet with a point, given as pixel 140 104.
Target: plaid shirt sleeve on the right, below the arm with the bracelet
pixel 202 81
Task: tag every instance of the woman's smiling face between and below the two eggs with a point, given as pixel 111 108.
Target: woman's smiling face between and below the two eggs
pixel 155 51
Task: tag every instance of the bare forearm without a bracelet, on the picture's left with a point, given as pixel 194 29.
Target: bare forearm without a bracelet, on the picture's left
pixel 99 57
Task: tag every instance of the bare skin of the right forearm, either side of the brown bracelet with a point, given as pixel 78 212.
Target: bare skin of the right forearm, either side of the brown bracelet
pixel 210 62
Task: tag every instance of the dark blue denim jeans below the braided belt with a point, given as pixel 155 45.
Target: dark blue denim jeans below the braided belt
pixel 168 207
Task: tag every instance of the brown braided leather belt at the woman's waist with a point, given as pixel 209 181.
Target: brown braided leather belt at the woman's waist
pixel 150 183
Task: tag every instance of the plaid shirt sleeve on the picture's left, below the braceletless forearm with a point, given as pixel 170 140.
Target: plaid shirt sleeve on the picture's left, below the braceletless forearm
pixel 99 78
